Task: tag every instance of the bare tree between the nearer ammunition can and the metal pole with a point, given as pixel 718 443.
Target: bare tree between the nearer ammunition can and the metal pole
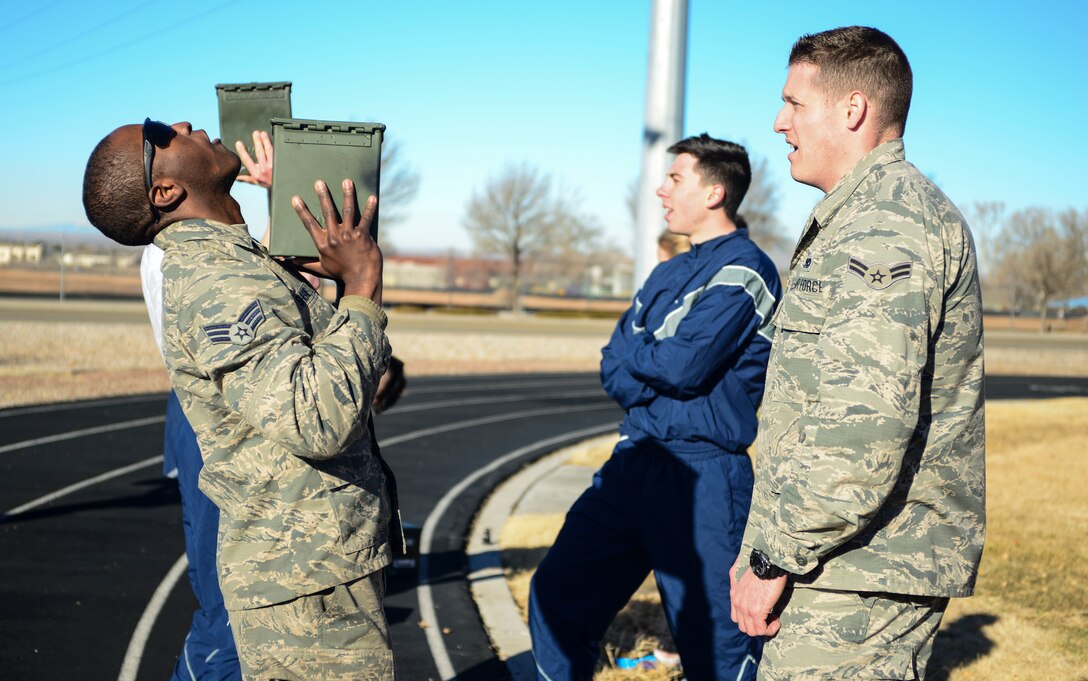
pixel 520 215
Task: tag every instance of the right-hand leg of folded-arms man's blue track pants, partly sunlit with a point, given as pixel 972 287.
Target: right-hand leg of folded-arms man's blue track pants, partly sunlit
pixel 695 525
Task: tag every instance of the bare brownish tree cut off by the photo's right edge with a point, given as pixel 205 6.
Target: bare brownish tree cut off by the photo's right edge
pixel 1045 256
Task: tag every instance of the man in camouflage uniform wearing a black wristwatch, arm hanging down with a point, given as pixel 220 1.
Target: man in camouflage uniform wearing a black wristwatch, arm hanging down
pixel 869 510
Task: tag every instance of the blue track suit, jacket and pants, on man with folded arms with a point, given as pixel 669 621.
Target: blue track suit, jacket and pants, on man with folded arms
pixel 687 363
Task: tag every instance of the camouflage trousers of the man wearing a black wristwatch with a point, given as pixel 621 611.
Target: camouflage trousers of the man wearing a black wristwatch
pixel 838 635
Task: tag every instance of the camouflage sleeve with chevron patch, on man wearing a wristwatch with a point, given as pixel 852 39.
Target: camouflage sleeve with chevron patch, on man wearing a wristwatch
pixel 870 358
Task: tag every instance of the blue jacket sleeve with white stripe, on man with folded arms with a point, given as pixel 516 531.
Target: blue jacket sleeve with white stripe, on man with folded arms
pixel 687 360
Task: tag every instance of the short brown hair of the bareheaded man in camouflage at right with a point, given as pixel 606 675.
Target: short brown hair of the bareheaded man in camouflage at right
pixel 859 58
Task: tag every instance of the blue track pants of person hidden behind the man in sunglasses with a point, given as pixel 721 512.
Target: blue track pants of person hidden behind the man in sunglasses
pixel 209 653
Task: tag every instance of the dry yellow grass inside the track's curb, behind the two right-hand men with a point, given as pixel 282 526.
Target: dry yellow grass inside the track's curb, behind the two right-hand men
pixel 1030 616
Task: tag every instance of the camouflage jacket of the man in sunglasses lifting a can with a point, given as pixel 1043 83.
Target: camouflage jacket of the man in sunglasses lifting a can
pixel 278 385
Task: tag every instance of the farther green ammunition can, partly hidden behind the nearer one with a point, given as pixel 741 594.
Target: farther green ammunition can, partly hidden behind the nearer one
pixel 249 107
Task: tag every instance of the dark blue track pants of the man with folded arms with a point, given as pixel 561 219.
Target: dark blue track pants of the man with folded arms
pixel 682 515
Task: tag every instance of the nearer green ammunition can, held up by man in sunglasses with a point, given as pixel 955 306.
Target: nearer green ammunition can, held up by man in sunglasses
pixel 311 151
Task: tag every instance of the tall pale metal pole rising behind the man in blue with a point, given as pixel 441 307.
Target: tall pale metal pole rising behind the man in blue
pixel 664 123
